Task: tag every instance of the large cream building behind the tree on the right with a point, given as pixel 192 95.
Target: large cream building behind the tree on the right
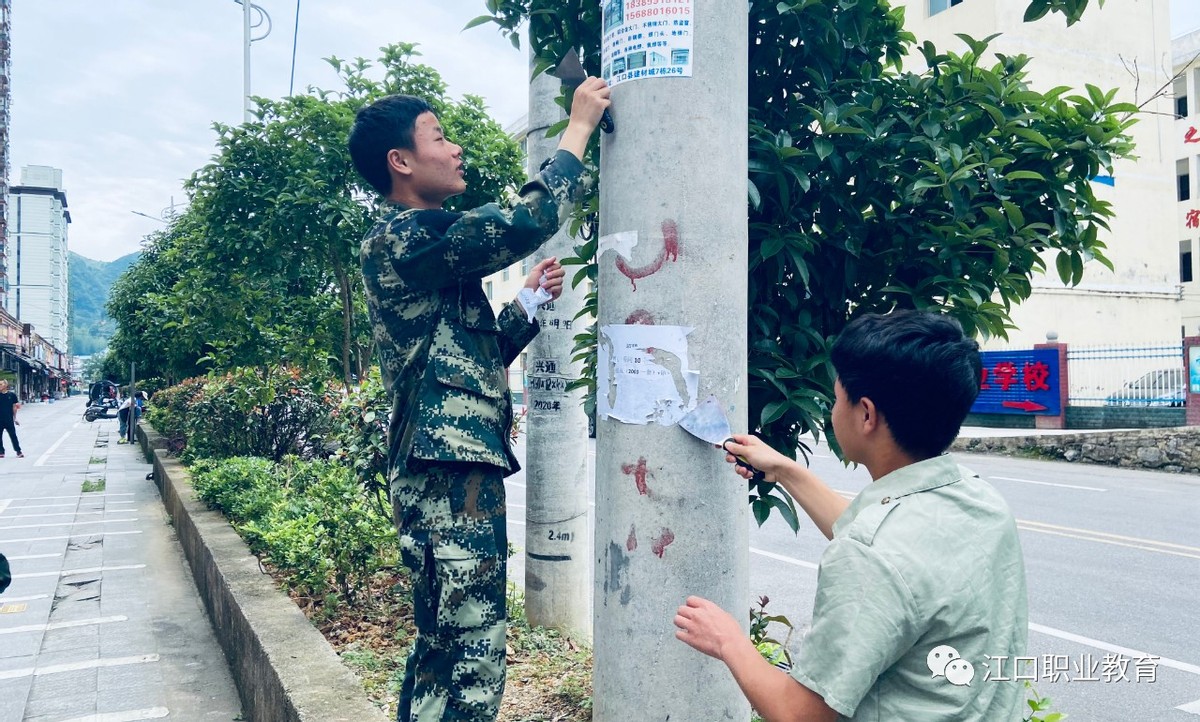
pixel 1125 46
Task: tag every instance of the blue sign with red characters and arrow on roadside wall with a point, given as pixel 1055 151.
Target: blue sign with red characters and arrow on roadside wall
pixel 1021 383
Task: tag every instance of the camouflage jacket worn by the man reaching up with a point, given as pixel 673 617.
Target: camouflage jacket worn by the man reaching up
pixel 442 350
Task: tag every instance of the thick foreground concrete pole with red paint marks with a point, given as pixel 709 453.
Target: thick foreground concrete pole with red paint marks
pixel 671 519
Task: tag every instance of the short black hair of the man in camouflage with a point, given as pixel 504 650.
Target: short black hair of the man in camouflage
pixel 380 128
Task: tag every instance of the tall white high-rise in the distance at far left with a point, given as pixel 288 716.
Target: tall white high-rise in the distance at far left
pixel 38 254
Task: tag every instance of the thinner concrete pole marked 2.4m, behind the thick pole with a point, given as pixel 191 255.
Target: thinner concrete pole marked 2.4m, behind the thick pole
pixel 559 563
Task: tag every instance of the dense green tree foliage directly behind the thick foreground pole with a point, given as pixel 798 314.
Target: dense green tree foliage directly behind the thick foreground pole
pixel 874 189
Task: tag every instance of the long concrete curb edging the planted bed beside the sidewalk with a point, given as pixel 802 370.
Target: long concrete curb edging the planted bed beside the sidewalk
pixel 284 667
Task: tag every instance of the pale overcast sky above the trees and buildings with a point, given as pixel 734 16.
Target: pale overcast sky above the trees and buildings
pixel 122 94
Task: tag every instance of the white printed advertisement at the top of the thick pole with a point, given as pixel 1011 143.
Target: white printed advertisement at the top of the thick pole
pixel 646 39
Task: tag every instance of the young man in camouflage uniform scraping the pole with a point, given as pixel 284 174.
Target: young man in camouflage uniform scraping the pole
pixel 445 356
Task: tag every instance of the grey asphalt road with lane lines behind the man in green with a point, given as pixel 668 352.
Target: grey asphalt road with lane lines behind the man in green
pixel 1113 564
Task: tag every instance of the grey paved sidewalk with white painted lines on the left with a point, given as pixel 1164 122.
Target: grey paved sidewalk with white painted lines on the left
pixel 103 622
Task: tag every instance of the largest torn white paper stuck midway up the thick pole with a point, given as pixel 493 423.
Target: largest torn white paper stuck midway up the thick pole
pixel 644 375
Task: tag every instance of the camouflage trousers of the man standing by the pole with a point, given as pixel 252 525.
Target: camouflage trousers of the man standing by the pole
pixel 454 540
